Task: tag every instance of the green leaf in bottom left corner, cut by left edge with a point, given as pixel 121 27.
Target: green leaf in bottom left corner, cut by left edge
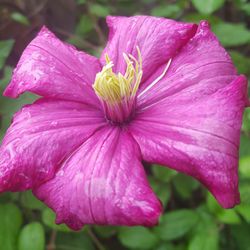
pixel 10 223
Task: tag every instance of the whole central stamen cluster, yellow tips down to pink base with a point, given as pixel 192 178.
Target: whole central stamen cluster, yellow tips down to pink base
pixel 117 92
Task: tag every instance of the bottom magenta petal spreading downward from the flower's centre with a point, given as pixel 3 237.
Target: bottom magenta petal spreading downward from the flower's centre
pixel 103 182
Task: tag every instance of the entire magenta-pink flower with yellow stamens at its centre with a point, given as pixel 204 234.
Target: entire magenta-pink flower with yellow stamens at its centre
pixel 163 91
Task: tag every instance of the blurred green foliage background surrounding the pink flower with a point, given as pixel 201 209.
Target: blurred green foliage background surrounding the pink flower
pixel 193 220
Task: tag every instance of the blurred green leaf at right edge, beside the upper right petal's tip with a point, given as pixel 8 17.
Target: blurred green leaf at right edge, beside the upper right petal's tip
pixel 231 34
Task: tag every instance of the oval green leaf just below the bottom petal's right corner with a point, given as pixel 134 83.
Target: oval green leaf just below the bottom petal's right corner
pixel 137 237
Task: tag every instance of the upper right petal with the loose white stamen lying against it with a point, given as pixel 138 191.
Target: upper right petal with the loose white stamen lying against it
pixel 199 69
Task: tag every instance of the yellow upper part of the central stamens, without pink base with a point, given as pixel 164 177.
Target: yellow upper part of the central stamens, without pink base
pixel 116 88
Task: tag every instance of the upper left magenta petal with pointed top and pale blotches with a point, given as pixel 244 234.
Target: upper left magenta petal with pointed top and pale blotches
pixel 50 68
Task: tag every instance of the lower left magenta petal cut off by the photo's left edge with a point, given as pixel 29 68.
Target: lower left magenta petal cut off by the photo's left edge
pixel 40 137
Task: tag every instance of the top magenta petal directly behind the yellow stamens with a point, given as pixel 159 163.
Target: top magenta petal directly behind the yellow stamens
pixel 157 38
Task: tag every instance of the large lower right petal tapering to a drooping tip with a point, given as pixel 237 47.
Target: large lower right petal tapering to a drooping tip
pixel 199 137
